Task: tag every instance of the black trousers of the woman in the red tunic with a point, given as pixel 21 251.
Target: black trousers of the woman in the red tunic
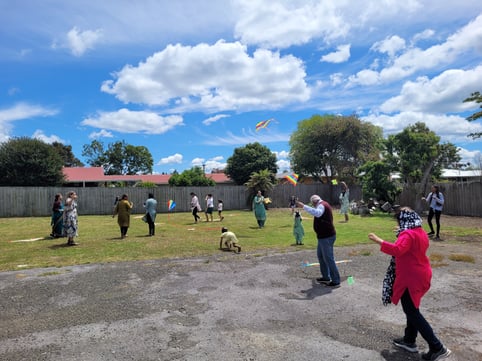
pixel 417 323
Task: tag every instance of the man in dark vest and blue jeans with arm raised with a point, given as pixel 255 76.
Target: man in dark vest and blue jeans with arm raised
pixel 326 235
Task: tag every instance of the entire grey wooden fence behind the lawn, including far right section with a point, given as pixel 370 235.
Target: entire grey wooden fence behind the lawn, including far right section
pixel 461 199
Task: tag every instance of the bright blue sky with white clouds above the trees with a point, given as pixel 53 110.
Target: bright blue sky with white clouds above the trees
pixel 189 79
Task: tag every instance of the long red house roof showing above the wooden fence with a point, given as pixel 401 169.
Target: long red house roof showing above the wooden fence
pixel 96 174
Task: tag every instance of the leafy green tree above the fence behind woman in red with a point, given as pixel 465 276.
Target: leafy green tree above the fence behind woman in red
pixel 418 155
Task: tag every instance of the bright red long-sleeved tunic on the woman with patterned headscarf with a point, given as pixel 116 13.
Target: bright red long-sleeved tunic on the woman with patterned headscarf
pixel 412 266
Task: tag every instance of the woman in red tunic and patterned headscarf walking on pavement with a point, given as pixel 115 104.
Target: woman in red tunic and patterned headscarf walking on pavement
pixel 412 280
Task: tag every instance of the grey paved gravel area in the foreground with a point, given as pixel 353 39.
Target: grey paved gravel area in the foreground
pixel 232 307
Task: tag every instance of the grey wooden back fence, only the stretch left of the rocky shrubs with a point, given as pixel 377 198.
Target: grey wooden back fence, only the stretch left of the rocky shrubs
pixel 37 201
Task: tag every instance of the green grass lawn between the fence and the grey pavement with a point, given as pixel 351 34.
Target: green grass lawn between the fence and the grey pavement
pixel 25 242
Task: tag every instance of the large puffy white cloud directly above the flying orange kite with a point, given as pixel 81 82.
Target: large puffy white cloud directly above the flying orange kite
pixel 215 77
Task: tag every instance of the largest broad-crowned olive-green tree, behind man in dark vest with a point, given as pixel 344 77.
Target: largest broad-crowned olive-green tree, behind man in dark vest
pixel 332 145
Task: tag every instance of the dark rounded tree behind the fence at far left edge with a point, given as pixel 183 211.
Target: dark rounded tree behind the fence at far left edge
pixel 29 162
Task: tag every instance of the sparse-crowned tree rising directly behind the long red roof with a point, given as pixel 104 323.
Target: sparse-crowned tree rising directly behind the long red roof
pixel 119 158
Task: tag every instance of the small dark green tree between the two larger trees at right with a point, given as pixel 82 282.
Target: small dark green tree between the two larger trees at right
pixel 377 182
